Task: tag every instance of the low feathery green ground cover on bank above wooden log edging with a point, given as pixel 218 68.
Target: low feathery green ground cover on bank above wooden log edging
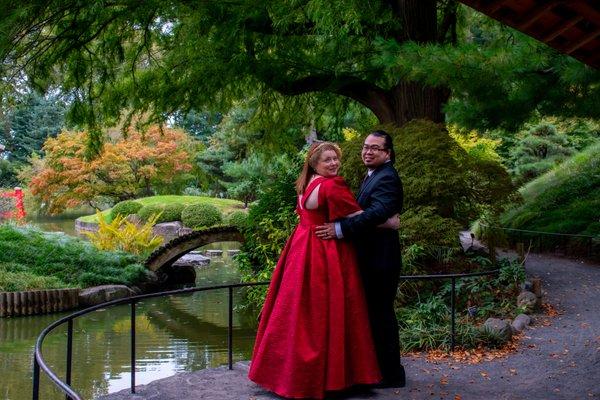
pixel 33 259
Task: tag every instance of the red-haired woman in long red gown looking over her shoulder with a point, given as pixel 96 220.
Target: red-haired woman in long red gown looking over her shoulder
pixel 314 335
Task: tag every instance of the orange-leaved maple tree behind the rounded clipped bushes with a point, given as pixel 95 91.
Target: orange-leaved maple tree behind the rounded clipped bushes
pixel 139 164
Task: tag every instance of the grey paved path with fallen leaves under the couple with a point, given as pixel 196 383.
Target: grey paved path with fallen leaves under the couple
pixel 558 357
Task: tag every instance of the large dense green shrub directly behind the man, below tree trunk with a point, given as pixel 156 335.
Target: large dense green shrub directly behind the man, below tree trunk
pixel 445 186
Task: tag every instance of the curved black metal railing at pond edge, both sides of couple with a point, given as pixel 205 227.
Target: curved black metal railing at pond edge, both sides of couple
pixel 70 393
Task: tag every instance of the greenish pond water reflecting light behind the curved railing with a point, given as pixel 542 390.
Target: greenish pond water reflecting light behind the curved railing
pixel 174 334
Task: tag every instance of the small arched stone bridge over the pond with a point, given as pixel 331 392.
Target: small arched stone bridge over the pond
pixel 162 259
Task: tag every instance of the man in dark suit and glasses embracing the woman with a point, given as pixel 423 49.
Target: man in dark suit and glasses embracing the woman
pixel 379 253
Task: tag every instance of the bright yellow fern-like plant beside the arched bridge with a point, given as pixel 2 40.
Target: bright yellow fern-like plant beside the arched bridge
pixel 121 234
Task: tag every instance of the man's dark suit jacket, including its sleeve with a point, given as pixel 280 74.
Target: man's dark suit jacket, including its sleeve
pixel 380 197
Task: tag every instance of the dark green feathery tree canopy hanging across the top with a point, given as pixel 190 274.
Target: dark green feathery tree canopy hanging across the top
pixel 400 59
